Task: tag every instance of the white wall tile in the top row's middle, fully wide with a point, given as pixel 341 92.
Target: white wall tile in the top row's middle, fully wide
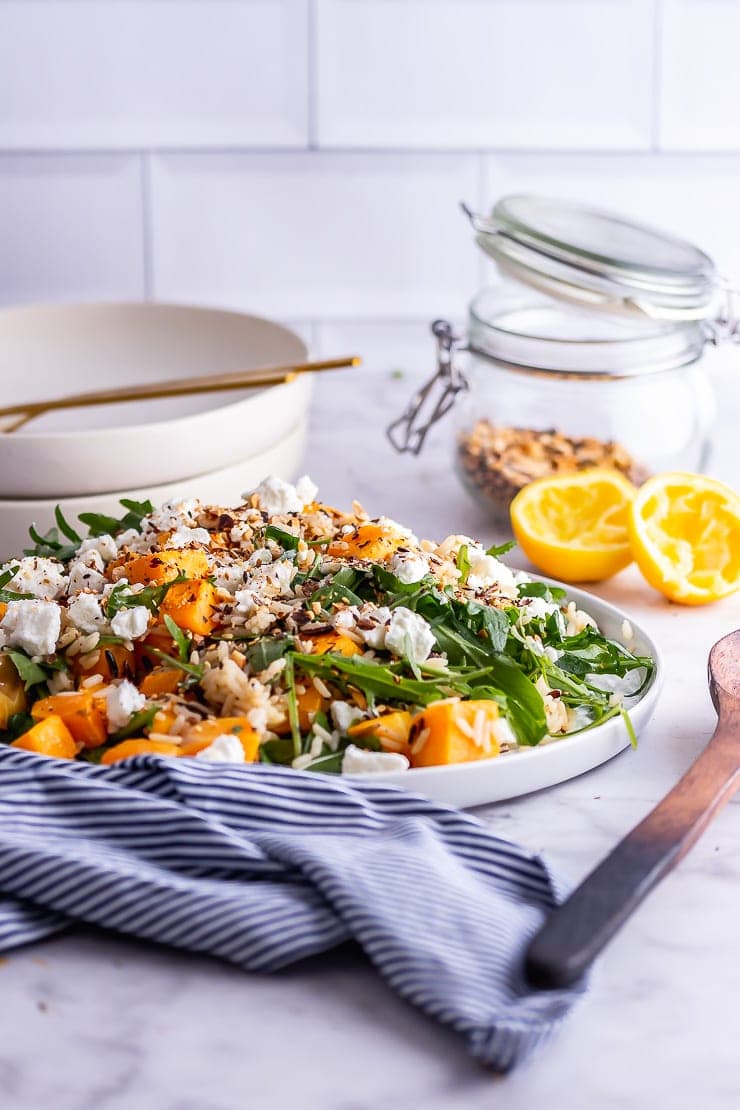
pixel 485 74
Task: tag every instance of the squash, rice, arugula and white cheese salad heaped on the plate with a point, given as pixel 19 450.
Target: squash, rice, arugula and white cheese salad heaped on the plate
pixel 289 632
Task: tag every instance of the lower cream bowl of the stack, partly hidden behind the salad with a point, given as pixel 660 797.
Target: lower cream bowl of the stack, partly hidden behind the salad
pixel 220 488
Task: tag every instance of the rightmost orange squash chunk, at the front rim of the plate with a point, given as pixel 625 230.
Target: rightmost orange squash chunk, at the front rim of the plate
pixel 453 732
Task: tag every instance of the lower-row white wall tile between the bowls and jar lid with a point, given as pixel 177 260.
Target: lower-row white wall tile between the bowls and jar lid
pixel 316 235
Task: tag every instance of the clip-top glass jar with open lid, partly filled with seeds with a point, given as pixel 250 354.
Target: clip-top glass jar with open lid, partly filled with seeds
pixel 589 351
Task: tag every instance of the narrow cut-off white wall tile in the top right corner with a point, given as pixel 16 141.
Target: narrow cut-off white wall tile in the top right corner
pixel 701 77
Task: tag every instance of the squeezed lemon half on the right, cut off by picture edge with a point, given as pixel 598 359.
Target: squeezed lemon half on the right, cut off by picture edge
pixel 685 531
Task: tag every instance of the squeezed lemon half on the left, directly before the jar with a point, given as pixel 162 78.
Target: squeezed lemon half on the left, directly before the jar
pixel 575 527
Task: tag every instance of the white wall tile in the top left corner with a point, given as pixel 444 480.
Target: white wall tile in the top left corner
pixel 113 74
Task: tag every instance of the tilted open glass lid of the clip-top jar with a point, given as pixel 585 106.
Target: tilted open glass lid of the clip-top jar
pixel 599 259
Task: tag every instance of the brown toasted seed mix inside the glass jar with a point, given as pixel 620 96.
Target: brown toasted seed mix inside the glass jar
pixel 501 461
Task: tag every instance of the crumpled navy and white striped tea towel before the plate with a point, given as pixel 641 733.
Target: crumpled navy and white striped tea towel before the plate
pixel 265 866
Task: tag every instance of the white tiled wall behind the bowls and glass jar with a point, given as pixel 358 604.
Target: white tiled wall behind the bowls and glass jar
pixel 306 158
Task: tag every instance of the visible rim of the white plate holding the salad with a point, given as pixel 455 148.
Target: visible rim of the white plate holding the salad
pixel 522 772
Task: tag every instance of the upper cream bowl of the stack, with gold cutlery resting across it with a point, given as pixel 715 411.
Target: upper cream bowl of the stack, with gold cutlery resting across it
pixel 53 351
